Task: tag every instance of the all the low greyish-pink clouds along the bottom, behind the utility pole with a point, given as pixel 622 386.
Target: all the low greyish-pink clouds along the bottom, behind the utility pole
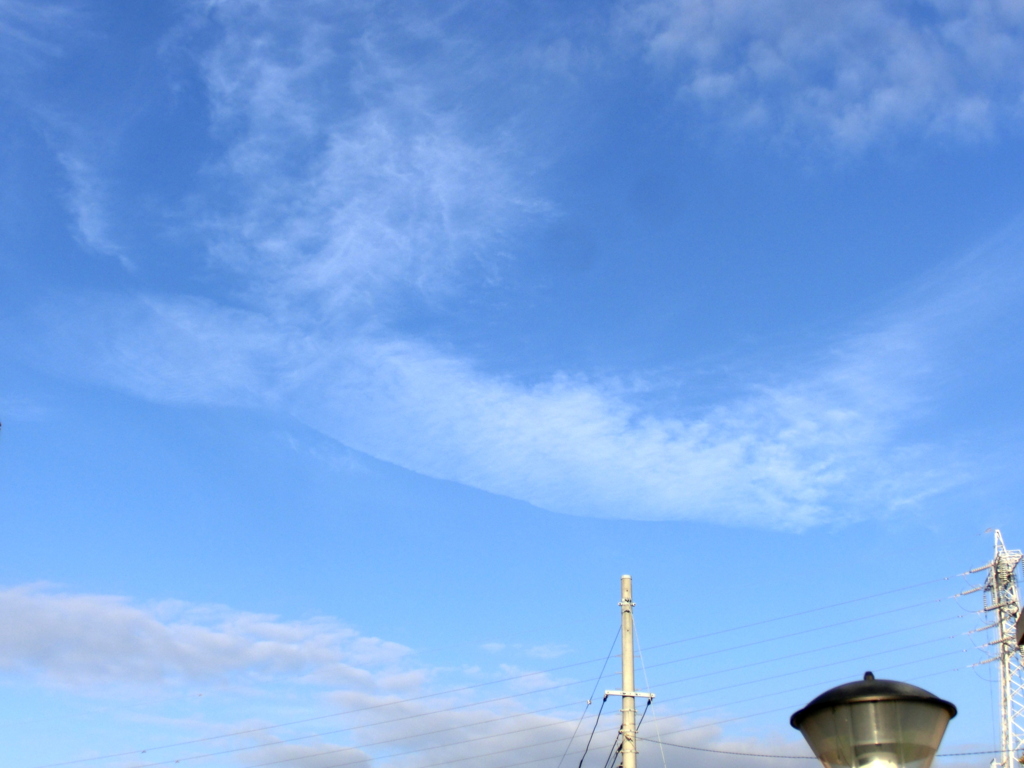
pixel 102 647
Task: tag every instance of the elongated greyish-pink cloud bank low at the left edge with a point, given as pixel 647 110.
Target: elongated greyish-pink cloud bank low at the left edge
pixel 76 641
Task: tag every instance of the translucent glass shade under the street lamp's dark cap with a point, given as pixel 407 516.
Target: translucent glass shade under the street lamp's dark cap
pixel 877 735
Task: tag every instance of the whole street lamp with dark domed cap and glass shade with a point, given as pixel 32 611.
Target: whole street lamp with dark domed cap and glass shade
pixel 875 724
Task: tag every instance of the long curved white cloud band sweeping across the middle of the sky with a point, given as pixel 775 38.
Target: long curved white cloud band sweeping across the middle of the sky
pixel 828 445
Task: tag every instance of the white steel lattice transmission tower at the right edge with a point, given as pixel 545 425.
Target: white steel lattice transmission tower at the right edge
pixel 1003 599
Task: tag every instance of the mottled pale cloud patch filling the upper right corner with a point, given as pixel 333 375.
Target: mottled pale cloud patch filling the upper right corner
pixel 855 71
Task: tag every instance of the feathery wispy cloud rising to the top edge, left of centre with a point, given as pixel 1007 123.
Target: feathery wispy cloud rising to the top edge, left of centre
pixel 347 200
